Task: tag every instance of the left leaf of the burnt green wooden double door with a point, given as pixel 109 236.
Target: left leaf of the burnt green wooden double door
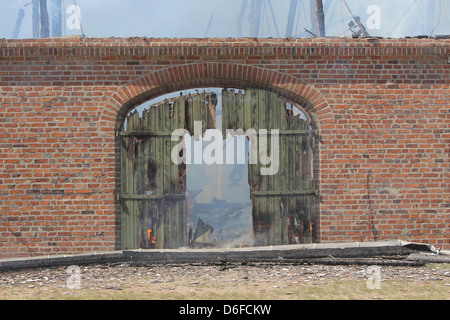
pixel 153 198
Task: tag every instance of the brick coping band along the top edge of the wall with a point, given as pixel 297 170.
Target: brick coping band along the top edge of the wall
pixel 139 46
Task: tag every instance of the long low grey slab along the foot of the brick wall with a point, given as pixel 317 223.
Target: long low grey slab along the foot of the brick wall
pixel 329 253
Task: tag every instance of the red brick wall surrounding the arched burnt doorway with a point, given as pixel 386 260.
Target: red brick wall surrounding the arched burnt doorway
pixel 381 106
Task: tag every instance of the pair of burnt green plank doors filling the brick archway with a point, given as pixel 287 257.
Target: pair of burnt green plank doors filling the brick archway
pixel 280 140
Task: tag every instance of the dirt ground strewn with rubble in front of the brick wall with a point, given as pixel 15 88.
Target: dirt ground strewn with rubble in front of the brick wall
pixel 122 281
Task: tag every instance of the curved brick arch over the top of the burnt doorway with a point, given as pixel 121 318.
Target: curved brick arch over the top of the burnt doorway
pixel 211 74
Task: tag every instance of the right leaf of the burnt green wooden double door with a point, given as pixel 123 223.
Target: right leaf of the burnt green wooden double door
pixel 283 204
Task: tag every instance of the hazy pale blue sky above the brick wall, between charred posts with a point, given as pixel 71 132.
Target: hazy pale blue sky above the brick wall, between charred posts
pixel 219 18
